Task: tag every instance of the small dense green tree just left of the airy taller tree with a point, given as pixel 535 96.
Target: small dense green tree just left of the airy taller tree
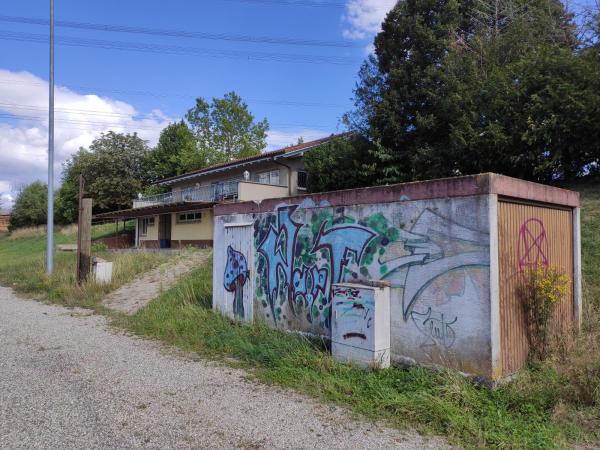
pixel 165 159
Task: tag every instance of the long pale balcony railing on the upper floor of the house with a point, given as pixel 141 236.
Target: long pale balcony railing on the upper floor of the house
pixel 214 193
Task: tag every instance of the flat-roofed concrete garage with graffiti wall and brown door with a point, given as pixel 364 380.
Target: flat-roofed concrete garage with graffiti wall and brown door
pixel 453 253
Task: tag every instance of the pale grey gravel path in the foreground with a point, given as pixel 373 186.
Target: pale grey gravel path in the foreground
pixel 67 380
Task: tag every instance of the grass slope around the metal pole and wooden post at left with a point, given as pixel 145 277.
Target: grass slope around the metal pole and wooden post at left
pixel 23 263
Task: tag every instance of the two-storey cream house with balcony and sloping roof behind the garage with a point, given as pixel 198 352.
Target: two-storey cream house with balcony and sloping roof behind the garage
pixel 184 216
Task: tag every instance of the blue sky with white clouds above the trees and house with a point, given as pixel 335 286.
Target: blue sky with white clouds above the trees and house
pixel 137 65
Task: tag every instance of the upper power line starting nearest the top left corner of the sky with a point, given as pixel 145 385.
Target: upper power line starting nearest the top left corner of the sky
pixel 180 33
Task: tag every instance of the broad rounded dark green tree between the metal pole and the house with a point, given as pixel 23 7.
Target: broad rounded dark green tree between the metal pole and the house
pixel 116 167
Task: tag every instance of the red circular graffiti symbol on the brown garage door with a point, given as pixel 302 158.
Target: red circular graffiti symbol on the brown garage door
pixel 532 248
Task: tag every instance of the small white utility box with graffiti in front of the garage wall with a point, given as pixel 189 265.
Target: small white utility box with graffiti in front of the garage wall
pixel 360 330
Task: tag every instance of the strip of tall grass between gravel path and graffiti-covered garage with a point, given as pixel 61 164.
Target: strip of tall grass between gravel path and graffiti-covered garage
pixel 520 415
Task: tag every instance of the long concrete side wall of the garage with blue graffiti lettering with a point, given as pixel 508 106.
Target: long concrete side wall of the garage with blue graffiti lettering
pixel 435 254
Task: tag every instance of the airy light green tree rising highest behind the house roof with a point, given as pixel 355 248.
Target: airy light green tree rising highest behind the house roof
pixel 224 129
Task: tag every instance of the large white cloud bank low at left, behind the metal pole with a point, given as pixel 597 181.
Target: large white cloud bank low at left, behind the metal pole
pixel 78 120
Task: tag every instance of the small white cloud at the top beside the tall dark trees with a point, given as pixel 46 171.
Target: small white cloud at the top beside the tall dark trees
pixel 364 17
